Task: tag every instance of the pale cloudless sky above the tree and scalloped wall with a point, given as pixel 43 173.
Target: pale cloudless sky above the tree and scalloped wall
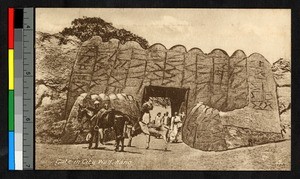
pixel 265 31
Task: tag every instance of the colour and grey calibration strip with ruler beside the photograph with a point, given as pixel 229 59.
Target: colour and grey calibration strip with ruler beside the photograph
pixel 21 86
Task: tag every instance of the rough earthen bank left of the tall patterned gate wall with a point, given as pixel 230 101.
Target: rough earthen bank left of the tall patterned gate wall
pixel 54 63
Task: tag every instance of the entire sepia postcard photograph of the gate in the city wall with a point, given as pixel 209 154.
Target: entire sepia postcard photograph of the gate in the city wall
pixel 162 89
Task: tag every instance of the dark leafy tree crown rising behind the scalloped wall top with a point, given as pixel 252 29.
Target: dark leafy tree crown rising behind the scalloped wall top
pixel 87 27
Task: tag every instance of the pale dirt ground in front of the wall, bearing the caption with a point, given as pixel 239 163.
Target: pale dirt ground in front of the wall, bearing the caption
pixel 179 156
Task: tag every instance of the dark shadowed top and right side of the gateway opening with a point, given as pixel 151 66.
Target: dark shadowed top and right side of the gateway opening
pixel 178 96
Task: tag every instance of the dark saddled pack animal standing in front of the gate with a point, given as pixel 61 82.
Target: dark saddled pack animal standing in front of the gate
pixel 104 119
